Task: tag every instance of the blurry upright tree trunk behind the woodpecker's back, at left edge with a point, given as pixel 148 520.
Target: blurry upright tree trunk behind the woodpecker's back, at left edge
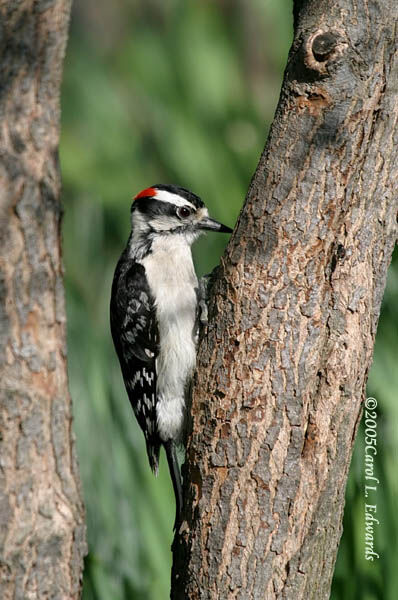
pixel 41 512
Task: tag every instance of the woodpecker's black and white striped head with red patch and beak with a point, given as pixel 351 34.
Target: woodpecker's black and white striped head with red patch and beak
pixel 170 210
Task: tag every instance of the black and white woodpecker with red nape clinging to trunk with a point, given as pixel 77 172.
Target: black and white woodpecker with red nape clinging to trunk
pixel 154 315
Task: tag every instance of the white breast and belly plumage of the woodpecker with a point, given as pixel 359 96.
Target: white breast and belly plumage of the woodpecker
pixel 172 280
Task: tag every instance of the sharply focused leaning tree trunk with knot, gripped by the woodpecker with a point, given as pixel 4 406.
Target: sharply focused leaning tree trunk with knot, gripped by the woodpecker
pixel 283 364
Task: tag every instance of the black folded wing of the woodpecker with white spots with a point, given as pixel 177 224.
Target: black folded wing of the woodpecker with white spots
pixel 135 335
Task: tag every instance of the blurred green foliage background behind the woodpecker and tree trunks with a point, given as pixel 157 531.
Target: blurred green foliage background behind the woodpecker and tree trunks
pixel 177 91
